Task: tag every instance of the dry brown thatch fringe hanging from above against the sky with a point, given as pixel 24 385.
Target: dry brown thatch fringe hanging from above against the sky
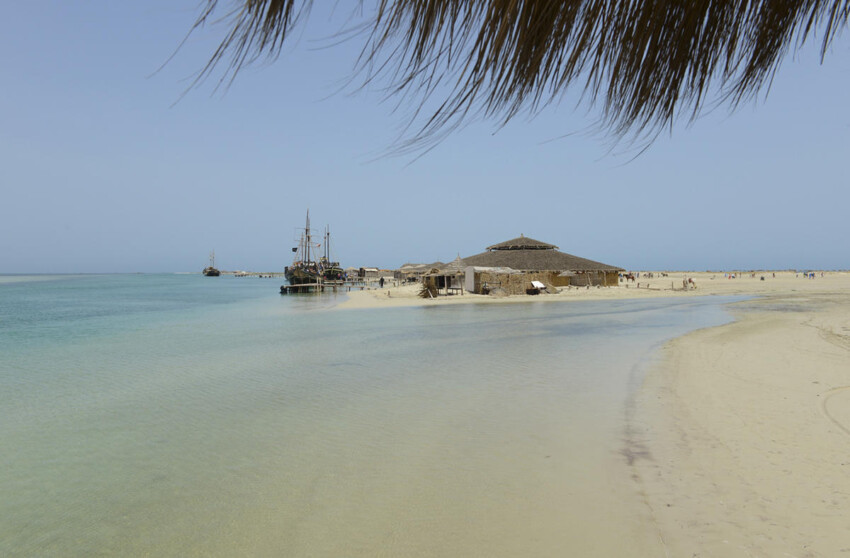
pixel 643 63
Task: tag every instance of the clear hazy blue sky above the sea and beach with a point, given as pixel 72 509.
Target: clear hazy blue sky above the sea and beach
pixel 104 167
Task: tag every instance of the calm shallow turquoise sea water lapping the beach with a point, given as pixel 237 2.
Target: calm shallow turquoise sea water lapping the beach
pixel 177 415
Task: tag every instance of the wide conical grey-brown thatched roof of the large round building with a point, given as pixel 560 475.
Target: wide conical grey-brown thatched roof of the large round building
pixel 527 254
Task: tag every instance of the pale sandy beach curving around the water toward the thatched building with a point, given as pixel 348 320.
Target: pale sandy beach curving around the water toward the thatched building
pixel 739 438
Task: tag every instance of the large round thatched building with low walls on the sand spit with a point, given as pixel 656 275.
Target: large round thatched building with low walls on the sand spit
pixel 536 260
